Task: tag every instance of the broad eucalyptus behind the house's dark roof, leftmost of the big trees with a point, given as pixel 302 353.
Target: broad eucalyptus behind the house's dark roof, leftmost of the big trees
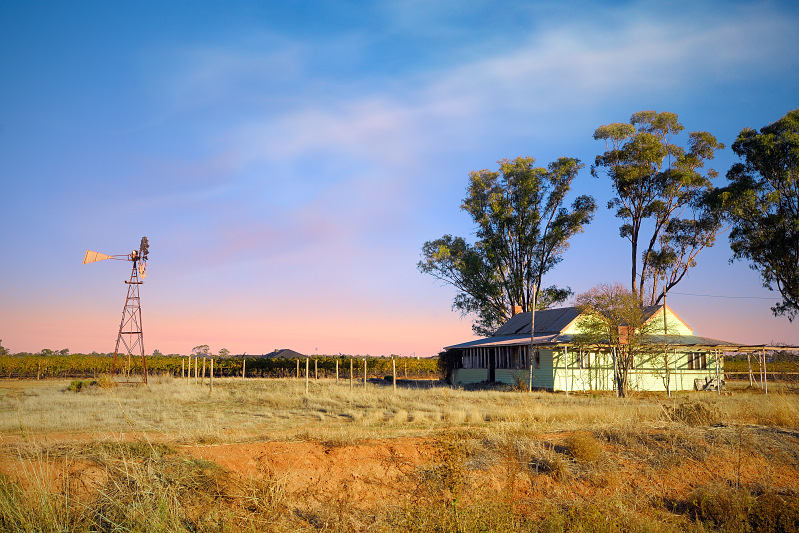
pixel 522 230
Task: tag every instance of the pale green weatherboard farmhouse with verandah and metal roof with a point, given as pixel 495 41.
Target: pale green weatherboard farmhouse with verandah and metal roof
pixel 560 363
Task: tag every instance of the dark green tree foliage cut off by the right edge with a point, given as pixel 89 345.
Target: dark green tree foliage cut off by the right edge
pixel 762 202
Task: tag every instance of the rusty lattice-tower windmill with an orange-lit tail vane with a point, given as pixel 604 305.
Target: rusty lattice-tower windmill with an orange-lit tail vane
pixel 130 328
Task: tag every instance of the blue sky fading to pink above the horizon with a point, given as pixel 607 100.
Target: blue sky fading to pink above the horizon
pixel 287 160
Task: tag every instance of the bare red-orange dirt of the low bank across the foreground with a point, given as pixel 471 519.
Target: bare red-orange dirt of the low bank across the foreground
pixel 373 472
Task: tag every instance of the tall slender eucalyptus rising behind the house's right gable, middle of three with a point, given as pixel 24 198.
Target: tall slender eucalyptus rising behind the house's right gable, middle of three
pixel 664 195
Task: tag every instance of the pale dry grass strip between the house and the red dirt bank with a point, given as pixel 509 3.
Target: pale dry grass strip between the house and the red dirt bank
pixel 242 410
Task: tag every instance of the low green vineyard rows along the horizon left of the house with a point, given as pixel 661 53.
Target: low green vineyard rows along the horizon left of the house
pixel 92 365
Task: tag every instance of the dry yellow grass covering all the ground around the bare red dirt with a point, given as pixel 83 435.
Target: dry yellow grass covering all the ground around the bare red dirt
pixel 503 460
